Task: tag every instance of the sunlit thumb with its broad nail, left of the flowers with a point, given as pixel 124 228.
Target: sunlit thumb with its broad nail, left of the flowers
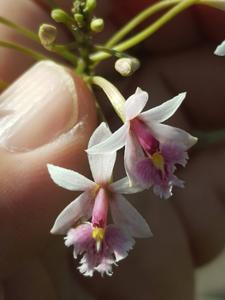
pixel 52 115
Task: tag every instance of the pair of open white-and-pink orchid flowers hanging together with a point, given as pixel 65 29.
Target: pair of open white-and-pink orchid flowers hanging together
pixel 152 152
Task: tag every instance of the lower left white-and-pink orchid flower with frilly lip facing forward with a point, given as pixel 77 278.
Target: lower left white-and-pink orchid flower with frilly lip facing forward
pixel 102 245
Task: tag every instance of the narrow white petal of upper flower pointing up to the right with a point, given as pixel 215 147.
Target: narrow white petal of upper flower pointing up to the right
pixel 164 111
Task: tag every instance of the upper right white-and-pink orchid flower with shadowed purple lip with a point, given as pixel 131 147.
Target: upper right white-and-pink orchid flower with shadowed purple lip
pixel 152 149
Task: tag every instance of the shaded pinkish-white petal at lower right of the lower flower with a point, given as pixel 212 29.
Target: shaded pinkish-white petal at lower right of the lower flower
pixel 128 218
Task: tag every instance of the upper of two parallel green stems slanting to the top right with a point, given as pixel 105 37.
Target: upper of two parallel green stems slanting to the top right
pixel 149 11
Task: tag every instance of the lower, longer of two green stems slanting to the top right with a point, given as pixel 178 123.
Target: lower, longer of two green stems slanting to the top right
pixel 138 38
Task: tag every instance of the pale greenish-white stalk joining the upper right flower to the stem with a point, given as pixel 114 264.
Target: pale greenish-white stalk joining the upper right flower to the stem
pixel 114 95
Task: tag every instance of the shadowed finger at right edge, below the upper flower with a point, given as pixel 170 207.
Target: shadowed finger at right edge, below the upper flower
pixel 201 205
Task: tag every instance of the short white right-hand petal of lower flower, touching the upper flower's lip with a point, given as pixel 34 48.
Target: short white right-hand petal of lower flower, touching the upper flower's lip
pixel 124 186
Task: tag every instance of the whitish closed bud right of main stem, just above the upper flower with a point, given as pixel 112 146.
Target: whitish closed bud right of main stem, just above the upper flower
pixel 127 66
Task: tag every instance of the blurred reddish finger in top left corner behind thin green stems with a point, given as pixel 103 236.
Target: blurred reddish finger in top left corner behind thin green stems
pixel 25 13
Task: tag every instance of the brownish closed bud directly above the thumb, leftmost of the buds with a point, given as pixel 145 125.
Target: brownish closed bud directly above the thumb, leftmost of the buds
pixel 47 35
